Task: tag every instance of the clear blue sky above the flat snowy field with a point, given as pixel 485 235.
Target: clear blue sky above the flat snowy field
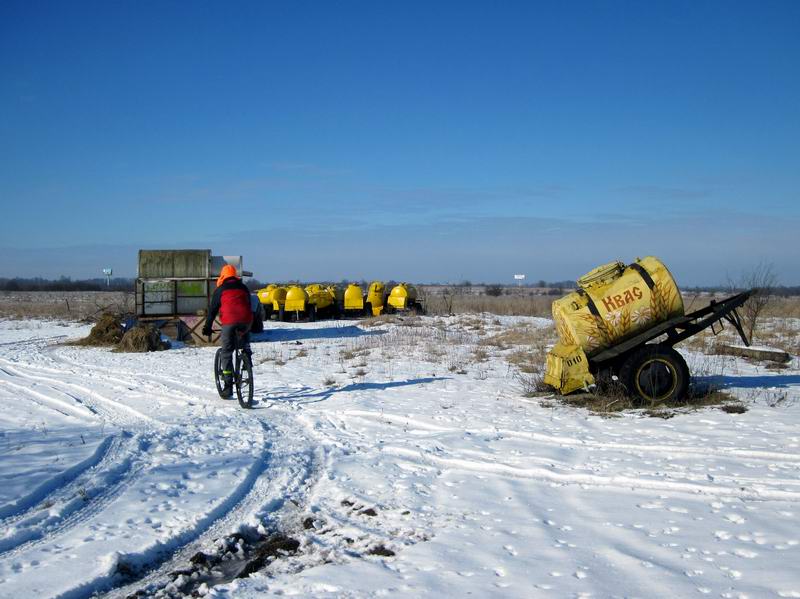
pixel 428 141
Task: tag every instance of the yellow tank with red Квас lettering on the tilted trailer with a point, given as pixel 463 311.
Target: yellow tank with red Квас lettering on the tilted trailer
pixel 614 302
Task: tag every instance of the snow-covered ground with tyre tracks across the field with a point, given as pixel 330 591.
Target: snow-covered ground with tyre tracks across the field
pixel 115 469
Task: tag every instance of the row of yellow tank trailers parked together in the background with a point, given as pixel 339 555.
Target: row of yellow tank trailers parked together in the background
pixel 318 301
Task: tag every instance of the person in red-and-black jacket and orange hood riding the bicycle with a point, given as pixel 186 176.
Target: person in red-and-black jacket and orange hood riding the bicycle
pixel 231 300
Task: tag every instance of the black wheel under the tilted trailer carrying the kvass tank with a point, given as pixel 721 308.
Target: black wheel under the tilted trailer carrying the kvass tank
pixel 655 373
